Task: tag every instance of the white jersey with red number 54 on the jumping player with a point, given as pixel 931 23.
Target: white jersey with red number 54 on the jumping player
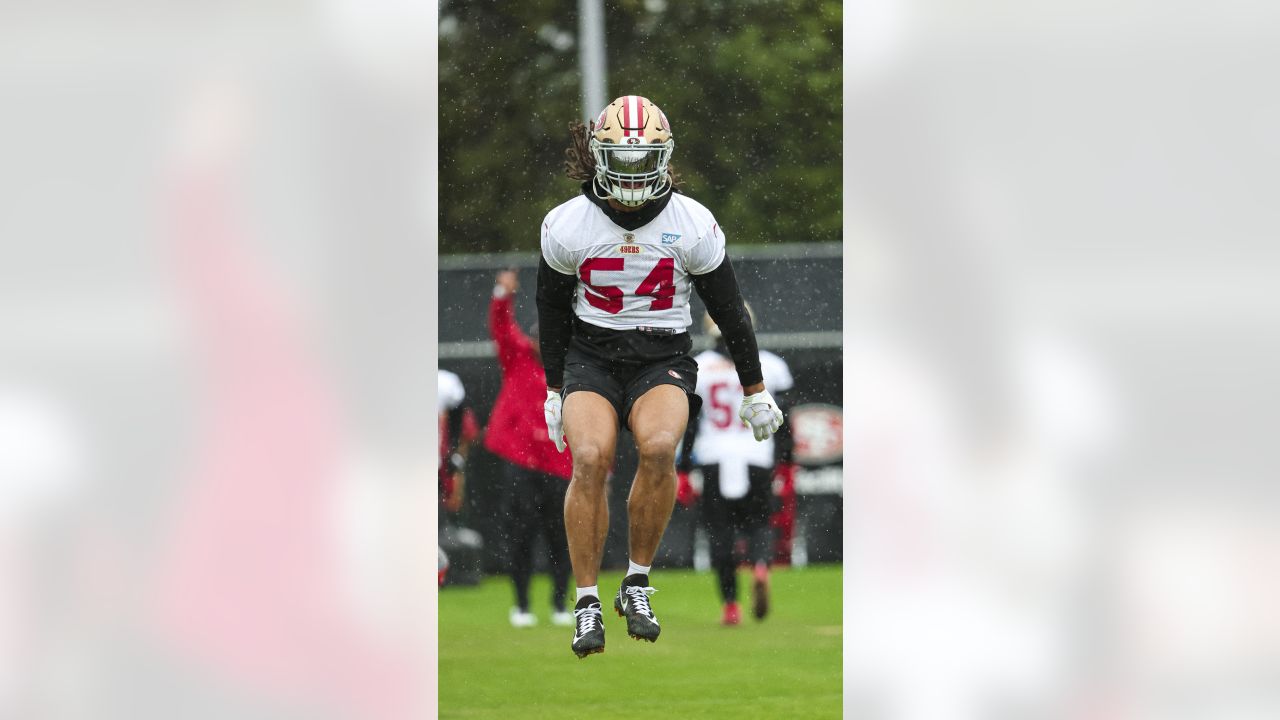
pixel 637 279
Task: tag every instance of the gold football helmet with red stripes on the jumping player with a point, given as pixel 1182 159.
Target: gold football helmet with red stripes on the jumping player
pixel 632 144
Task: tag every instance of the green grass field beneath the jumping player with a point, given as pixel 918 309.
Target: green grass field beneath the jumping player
pixel 787 667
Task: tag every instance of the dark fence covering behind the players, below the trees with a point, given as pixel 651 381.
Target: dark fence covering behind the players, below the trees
pixel 796 293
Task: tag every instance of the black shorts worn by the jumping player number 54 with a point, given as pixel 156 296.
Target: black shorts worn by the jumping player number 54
pixel 623 366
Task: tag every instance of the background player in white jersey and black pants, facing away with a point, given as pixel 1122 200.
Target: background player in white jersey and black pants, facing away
pixel 738 472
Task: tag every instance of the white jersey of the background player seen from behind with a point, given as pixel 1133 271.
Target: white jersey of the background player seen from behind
pixel 723 439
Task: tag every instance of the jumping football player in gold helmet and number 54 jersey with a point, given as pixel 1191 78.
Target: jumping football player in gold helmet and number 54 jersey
pixel 619 263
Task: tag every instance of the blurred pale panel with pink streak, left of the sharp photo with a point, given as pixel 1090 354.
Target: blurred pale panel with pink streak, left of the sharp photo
pixel 216 413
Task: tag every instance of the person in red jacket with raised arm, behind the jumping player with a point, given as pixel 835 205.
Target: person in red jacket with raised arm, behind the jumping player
pixel 538 476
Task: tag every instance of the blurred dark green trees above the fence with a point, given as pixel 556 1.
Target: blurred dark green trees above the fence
pixel 752 89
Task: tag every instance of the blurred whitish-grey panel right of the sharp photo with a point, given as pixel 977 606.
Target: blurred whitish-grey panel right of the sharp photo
pixel 1060 361
